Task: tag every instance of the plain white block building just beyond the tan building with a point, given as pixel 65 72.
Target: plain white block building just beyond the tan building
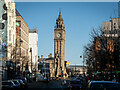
pixel 33 45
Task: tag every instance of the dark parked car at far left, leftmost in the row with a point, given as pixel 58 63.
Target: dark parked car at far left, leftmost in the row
pixel 8 85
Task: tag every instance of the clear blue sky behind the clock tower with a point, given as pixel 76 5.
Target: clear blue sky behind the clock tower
pixel 79 20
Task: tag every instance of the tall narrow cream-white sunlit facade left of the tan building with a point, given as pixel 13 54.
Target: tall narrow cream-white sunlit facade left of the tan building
pixel 11 28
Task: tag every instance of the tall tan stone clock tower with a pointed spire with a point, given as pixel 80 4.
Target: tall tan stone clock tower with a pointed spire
pixel 59 47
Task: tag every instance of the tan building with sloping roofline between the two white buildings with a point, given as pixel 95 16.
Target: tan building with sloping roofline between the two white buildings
pixel 22 42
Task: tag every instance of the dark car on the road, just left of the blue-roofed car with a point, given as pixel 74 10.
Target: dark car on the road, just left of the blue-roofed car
pixel 75 84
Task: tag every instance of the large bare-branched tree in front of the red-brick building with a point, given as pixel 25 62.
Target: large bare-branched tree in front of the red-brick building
pixel 102 51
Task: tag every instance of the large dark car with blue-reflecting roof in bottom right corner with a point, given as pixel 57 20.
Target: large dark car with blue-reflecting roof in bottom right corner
pixel 104 85
